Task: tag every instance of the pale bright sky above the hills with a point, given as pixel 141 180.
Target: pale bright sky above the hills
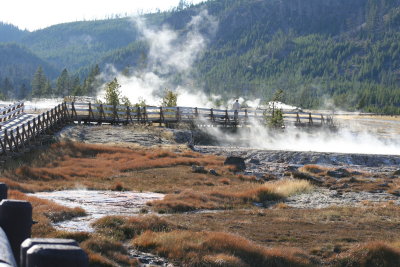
pixel 39 14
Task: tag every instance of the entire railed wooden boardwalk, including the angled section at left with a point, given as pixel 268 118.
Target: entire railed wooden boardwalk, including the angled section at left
pixel 18 129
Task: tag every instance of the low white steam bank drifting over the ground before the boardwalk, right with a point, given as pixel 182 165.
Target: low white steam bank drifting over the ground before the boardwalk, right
pixel 349 138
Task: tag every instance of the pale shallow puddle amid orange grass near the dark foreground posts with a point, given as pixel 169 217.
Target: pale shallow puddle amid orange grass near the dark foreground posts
pixel 98 204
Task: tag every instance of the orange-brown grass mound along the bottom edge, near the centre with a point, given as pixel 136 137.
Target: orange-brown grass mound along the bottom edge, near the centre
pixel 216 248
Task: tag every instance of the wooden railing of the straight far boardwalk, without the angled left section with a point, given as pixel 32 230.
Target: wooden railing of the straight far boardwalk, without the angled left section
pixel 88 112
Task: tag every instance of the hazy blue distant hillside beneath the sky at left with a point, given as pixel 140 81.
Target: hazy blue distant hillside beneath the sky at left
pixel 78 44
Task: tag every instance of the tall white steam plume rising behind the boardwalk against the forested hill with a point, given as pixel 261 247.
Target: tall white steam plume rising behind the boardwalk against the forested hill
pixel 172 54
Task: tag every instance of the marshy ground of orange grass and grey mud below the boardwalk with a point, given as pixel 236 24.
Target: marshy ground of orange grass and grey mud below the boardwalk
pixel 222 217
